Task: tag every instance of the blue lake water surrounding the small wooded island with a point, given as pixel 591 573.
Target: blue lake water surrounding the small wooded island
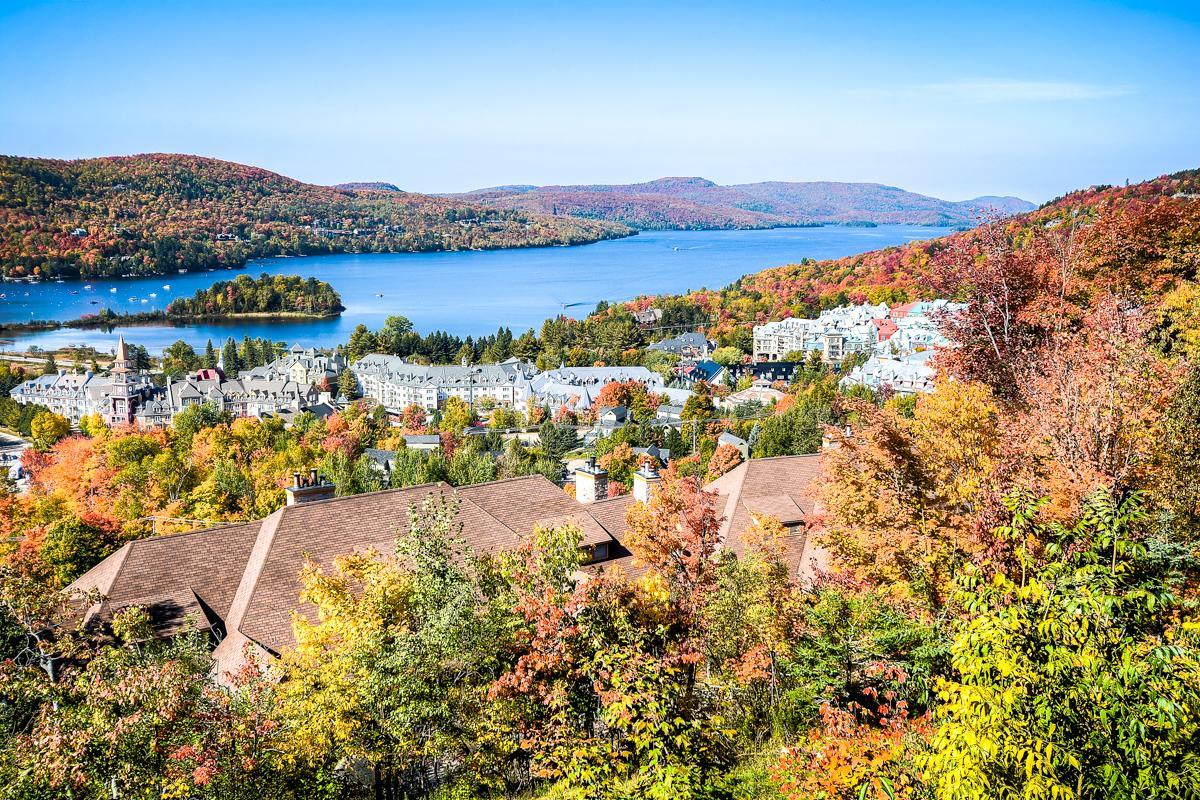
pixel 464 293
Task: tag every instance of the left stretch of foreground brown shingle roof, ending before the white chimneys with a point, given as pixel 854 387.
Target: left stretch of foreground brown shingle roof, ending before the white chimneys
pixel 247 576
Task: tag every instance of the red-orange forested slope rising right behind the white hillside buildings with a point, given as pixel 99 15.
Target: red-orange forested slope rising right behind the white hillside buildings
pixel 1145 237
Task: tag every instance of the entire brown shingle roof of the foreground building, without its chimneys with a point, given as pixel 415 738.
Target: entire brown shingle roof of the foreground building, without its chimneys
pixel 248 576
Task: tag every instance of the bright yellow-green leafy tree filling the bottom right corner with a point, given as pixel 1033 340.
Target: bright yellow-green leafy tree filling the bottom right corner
pixel 1077 671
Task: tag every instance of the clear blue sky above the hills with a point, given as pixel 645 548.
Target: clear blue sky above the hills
pixel 949 99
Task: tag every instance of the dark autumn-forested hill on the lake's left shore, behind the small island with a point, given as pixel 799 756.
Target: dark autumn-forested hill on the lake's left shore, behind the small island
pixel 152 214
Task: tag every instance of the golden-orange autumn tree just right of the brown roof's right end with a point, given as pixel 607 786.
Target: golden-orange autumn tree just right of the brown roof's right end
pixel 905 497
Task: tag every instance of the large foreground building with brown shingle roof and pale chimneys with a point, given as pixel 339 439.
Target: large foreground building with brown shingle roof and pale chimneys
pixel 239 581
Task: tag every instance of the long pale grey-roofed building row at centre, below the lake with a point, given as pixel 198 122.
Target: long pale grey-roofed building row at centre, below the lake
pixel 397 384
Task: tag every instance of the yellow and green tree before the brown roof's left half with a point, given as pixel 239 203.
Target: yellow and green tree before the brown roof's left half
pixel 397 666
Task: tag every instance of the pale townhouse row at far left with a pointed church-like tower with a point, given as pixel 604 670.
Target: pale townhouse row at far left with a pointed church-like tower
pixel 128 396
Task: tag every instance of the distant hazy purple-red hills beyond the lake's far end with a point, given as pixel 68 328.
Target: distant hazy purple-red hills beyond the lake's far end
pixel 695 203
